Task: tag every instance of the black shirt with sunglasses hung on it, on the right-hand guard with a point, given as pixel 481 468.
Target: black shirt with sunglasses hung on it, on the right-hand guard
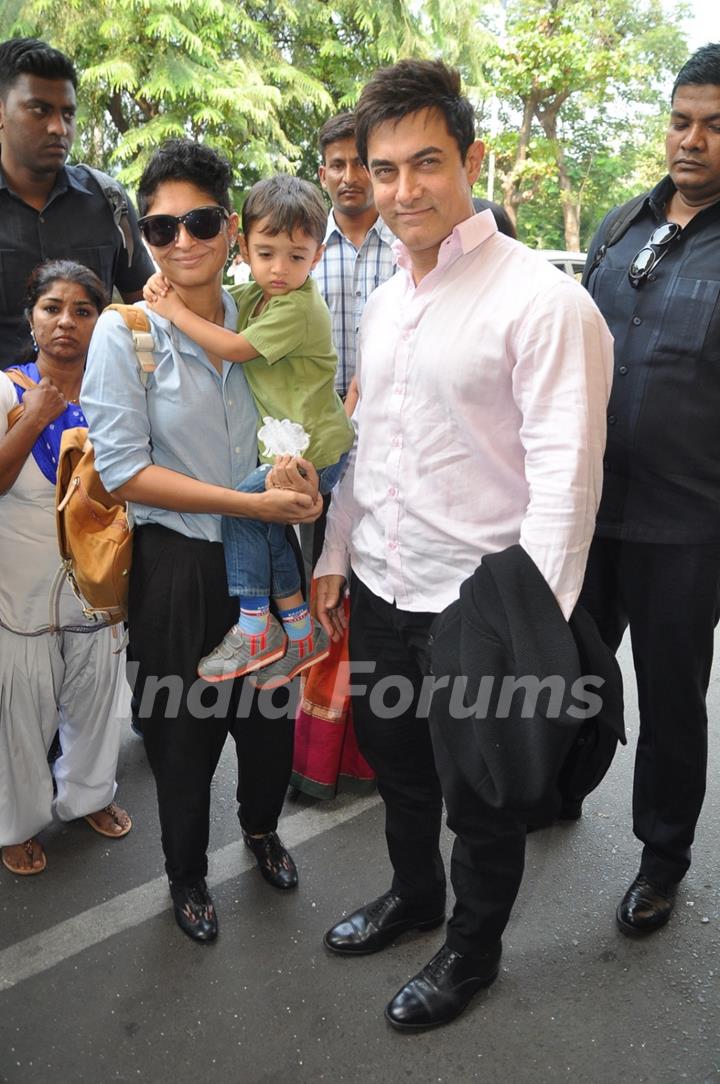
pixel 663 458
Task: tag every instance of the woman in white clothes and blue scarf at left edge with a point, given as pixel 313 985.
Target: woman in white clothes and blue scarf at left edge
pixel 62 677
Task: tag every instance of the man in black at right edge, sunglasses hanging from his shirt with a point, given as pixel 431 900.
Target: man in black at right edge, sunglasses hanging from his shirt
pixel 655 561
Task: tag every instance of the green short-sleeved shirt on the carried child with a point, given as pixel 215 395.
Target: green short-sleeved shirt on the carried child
pixel 294 376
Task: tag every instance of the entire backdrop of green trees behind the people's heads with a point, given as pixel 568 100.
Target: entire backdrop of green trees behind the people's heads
pixel 259 78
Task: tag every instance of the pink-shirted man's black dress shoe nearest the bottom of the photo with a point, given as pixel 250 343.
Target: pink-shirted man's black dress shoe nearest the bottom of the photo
pixel 443 990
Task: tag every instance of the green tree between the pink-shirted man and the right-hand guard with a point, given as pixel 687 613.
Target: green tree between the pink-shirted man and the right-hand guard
pixel 571 70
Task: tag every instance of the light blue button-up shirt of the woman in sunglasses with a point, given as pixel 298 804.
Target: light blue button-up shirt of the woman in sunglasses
pixel 189 419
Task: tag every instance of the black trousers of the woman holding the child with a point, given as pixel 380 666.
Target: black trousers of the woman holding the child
pixel 179 610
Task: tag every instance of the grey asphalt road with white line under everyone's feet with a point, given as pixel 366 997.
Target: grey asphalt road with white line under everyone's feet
pixel 98 985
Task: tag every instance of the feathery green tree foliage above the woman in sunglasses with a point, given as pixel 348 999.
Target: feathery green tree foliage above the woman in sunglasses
pixel 157 69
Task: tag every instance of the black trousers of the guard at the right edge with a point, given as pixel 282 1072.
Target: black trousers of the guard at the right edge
pixel 668 596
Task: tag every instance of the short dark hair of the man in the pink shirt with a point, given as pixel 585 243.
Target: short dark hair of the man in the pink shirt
pixel 408 87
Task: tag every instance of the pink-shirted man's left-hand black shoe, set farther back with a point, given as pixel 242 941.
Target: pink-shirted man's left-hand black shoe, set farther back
pixel 378 924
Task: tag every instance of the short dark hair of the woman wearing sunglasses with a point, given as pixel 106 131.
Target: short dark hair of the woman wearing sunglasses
pixel 184 160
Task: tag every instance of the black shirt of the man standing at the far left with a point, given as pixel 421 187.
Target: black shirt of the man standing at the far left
pixel 76 224
